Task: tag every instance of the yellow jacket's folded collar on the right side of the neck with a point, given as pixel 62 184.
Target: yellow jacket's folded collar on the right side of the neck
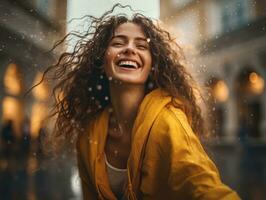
pixel 149 110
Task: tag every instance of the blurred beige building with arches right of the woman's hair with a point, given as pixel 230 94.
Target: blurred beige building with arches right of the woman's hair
pixel 230 36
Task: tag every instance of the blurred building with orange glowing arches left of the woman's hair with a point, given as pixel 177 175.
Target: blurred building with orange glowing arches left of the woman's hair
pixel 28 30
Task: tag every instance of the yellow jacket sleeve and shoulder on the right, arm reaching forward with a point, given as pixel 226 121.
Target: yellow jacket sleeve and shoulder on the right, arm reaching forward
pixel 176 166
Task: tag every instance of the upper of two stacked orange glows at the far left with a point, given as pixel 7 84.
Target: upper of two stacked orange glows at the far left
pixel 12 80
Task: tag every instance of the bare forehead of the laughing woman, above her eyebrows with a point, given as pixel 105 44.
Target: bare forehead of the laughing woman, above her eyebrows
pixel 129 29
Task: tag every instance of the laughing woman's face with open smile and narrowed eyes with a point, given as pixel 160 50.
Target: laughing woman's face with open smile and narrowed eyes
pixel 128 57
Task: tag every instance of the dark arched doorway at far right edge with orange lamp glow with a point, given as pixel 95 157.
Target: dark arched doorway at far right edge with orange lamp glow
pixel 249 86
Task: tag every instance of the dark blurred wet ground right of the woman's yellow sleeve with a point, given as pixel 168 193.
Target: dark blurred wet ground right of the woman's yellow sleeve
pixel 243 167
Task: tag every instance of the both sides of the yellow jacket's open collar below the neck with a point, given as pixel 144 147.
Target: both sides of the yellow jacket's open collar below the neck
pixel 149 109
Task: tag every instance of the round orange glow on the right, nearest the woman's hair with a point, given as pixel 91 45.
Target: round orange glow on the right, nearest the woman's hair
pixel 220 91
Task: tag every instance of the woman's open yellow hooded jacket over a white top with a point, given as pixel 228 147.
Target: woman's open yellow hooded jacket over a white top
pixel 166 161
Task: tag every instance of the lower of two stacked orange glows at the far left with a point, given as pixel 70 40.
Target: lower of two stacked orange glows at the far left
pixel 13 110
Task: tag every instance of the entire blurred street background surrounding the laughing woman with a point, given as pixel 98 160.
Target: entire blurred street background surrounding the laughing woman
pixel 225 42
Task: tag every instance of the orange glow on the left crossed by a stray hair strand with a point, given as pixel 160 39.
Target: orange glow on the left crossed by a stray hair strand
pixel 40 92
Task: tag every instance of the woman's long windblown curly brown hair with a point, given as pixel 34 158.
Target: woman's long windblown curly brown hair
pixel 82 88
